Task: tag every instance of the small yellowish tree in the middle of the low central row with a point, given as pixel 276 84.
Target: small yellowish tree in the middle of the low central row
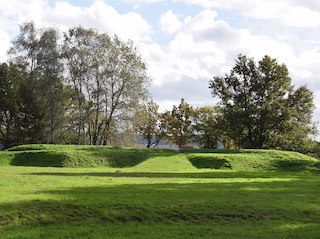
pixel 178 123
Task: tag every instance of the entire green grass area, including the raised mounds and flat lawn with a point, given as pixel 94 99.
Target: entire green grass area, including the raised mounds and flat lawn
pixel 157 194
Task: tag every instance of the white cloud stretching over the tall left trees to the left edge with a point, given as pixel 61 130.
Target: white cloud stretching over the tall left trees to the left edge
pixel 63 15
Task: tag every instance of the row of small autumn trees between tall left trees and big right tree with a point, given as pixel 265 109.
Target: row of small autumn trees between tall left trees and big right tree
pixel 182 125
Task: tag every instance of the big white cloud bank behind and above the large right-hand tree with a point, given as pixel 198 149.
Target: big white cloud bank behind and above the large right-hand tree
pixel 205 46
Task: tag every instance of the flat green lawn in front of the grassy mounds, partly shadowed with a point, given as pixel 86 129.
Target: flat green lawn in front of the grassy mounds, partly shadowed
pixel 107 203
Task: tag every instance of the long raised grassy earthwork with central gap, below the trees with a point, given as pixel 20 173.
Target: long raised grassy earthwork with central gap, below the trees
pixel 142 159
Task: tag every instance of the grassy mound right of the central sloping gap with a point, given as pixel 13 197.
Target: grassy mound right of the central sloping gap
pixel 247 160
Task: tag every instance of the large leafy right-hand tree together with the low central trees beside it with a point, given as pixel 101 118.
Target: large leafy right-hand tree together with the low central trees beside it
pixel 259 108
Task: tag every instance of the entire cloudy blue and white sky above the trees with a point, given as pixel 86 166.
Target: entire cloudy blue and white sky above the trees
pixel 185 43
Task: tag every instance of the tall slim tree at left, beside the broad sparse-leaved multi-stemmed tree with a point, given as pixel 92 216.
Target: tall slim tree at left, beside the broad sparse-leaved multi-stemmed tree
pixel 36 52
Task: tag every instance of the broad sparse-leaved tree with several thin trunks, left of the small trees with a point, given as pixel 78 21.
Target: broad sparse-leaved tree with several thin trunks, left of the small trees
pixel 110 76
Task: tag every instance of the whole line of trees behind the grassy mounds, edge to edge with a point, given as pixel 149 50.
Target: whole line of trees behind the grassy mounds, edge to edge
pixel 84 87
